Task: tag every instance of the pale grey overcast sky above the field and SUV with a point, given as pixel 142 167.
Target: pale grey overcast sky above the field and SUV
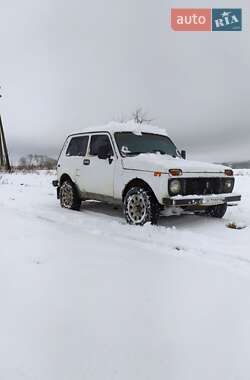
pixel 69 64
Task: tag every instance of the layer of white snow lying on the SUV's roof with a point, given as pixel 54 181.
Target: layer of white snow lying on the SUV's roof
pixel 129 126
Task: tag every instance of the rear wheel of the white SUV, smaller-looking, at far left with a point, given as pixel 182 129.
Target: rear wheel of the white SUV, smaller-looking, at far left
pixel 68 196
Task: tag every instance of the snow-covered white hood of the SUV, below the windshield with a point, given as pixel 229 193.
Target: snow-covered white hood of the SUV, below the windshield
pixel 158 162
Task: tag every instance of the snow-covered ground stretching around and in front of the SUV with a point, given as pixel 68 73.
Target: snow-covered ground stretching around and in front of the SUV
pixel 85 296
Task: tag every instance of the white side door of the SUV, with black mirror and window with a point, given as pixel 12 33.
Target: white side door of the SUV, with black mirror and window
pixel 97 173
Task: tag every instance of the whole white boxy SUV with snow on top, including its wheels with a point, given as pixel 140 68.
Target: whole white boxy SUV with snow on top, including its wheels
pixel 139 167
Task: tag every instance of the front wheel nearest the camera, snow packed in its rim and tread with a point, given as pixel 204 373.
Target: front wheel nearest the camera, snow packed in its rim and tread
pixel 140 206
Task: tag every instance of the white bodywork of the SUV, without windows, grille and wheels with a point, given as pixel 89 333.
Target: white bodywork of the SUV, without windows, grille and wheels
pixel 108 179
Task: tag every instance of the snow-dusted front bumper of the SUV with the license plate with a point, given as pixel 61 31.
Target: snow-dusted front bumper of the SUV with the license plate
pixel 202 200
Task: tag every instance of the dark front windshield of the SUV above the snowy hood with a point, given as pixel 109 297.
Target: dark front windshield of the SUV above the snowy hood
pixel 130 144
